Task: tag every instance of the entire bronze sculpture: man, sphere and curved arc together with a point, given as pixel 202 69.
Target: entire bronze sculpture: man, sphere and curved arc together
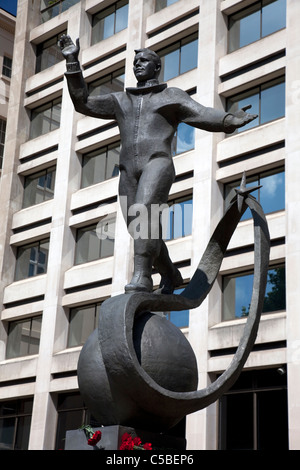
pixel 137 369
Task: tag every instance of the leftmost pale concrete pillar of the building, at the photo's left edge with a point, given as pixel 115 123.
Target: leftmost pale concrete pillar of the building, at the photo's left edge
pixel 16 134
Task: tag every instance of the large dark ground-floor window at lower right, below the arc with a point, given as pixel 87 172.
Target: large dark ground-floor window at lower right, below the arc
pixel 253 414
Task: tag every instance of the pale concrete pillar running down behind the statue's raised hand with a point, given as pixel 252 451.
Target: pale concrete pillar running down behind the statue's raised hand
pixel 61 253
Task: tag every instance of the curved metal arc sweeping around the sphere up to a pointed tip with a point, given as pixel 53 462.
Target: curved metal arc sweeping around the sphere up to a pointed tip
pixel 141 387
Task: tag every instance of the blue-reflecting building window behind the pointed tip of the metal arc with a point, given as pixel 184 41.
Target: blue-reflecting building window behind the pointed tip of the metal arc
pixel 271 195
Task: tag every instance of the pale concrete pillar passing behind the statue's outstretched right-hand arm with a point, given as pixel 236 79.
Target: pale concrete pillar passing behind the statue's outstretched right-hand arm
pixel 201 425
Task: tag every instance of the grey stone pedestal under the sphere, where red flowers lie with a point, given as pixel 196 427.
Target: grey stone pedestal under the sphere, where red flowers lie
pixel 112 435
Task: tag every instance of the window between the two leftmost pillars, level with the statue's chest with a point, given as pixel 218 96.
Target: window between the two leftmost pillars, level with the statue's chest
pixel 45 118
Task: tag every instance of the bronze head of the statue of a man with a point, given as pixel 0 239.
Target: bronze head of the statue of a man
pixel 146 65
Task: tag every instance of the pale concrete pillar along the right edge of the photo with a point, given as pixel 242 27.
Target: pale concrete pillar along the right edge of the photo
pixel 293 220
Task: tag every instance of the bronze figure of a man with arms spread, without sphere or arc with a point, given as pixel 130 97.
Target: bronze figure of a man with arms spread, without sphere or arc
pixel 147 116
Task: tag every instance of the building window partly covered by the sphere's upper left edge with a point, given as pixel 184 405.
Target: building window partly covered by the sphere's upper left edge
pixel 82 322
